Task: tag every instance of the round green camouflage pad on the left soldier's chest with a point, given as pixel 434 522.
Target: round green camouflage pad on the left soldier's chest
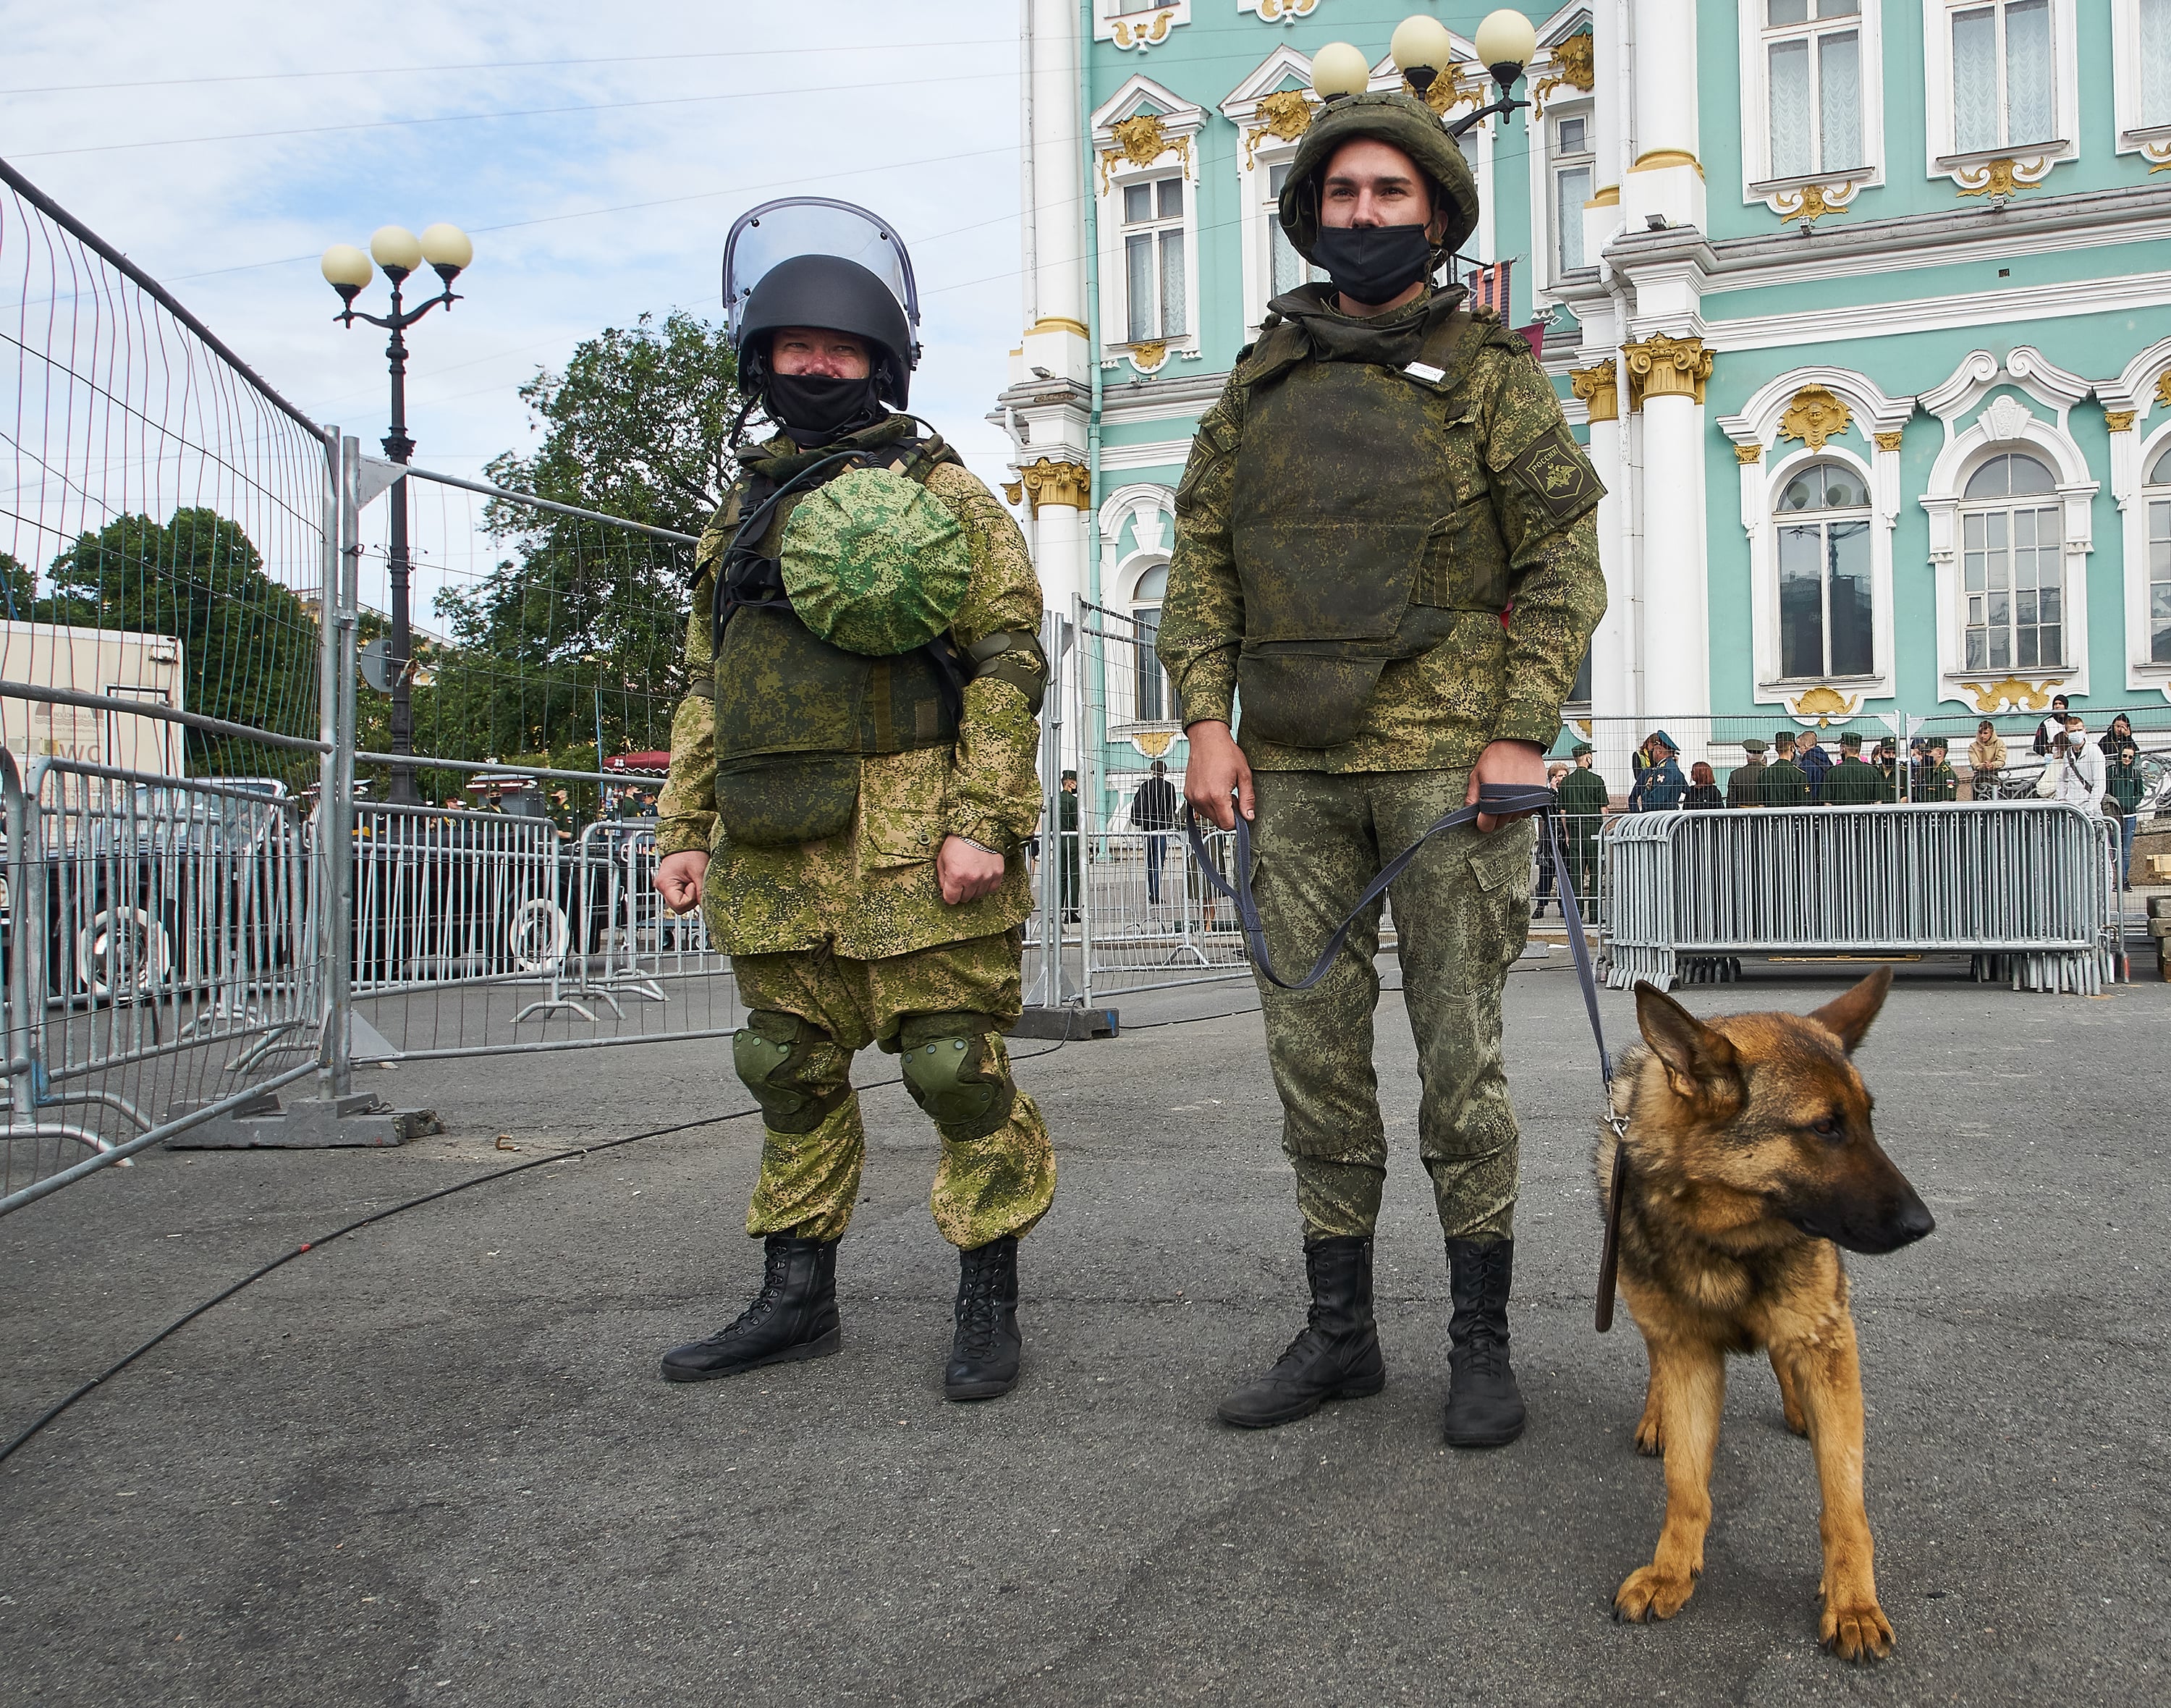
pixel 874 563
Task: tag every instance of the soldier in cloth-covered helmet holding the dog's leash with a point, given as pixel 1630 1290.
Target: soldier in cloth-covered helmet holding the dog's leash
pixel 1384 479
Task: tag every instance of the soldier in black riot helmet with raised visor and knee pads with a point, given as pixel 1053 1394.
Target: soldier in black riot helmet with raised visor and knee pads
pixel 852 780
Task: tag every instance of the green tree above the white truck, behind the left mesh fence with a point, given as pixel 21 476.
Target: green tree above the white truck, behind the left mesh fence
pixel 249 646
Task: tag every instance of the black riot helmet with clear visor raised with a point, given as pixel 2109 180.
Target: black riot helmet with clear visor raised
pixel 811 262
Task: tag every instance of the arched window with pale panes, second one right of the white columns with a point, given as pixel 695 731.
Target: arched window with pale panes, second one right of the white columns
pixel 2011 576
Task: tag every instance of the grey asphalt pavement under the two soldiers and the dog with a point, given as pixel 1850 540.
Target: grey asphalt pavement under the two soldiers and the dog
pixel 433 1464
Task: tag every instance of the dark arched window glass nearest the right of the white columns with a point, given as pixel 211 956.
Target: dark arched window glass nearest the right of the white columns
pixel 1825 600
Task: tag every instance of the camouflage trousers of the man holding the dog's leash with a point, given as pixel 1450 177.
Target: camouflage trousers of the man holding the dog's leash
pixel 1462 915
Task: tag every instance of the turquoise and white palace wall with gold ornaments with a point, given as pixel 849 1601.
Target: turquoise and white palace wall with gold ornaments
pixel 1881 279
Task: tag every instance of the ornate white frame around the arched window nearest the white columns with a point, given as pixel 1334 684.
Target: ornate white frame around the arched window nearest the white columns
pixel 1777 463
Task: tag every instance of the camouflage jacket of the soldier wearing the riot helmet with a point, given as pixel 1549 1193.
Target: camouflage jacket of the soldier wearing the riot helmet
pixel 872 891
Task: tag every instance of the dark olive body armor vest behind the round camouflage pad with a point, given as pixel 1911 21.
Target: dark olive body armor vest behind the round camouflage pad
pixel 798 715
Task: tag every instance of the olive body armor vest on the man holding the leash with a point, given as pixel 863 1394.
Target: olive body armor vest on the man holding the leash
pixel 1364 522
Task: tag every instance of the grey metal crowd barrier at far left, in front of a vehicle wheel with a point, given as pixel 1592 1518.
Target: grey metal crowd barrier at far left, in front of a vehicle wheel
pixel 160 960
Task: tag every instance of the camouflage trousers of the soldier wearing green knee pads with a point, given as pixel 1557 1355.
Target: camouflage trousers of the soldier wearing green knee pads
pixel 985 1186
